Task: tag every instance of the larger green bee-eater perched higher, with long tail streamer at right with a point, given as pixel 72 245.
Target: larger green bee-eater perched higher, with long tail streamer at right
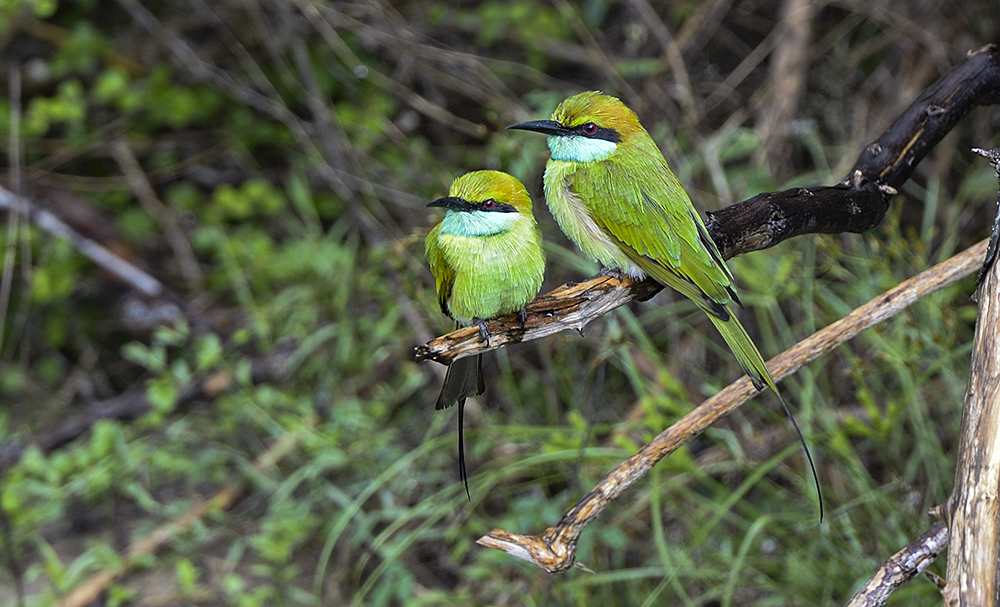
pixel 612 193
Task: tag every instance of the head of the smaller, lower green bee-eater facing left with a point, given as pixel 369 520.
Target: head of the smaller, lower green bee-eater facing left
pixel 482 203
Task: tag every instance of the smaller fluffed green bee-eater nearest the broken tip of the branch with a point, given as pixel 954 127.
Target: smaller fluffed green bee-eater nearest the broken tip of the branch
pixel 487 260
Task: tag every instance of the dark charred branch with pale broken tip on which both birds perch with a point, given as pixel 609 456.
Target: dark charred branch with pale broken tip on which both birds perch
pixel 855 205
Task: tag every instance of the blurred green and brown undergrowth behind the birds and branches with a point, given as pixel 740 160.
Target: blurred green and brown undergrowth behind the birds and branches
pixel 290 148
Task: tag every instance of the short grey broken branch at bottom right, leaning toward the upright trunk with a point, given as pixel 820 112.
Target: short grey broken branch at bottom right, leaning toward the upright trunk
pixel 902 567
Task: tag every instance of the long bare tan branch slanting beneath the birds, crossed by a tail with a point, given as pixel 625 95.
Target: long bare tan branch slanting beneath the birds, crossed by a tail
pixel 554 550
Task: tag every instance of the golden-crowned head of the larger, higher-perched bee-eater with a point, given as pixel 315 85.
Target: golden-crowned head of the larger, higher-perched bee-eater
pixel 587 127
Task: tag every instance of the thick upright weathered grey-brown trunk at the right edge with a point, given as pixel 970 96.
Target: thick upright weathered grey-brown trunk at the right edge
pixel 973 510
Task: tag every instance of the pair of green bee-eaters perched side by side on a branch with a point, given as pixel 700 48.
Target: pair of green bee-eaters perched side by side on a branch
pixel 609 187
